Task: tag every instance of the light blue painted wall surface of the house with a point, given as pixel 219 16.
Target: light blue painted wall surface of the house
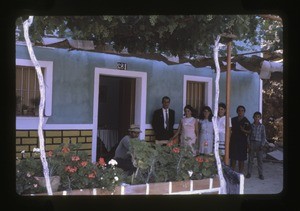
pixel 73 79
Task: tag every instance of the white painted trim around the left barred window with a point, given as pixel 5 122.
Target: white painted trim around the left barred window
pixel 32 122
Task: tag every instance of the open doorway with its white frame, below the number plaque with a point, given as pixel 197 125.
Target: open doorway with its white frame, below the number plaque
pixel 125 108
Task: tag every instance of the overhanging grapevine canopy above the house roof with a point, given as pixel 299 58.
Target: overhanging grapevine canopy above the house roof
pixel 176 34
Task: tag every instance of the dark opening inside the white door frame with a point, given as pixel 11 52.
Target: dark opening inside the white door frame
pixel 116 112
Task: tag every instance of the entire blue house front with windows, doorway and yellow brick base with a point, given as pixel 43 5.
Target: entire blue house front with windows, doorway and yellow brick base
pixel 91 96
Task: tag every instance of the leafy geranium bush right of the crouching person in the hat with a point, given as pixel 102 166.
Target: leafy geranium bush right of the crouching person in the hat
pixel 156 163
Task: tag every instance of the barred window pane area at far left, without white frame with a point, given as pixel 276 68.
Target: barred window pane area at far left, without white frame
pixel 27 91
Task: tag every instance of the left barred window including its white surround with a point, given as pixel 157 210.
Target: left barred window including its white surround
pixel 27 92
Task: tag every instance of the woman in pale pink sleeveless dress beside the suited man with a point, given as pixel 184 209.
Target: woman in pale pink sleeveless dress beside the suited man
pixel 188 130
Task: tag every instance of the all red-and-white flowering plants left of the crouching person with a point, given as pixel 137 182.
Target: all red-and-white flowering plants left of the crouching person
pixel 74 167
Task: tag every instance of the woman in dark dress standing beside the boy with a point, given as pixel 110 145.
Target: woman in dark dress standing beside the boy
pixel 238 140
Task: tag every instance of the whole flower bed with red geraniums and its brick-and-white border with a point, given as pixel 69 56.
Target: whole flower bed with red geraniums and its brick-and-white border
pixel 160 170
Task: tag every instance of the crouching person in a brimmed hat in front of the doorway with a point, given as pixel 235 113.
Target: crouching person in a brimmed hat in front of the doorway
pixel 122 154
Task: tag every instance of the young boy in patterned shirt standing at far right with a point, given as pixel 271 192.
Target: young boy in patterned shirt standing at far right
pixel 257 141
